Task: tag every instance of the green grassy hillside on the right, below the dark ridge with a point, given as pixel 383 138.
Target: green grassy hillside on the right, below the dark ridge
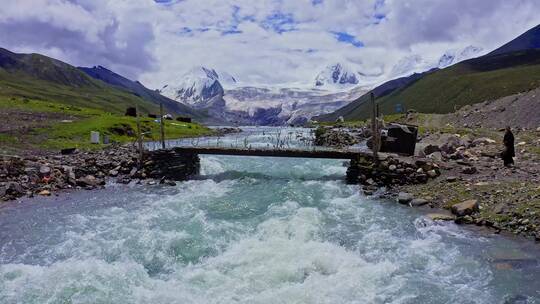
pixel 472 81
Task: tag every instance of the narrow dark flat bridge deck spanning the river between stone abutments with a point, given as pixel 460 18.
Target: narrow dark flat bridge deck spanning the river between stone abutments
pixel 329 154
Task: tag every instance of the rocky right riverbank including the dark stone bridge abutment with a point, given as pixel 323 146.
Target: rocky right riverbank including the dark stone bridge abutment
pixel 460 172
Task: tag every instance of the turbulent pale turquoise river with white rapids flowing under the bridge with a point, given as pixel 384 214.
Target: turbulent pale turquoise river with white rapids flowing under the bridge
pixel 252 230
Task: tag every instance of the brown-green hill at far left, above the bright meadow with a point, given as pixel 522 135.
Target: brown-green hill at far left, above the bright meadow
pixel 39 77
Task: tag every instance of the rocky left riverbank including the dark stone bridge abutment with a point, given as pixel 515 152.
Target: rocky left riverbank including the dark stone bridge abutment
pixel 50 174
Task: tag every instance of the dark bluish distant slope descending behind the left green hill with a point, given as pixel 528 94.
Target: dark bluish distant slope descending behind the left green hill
pixel 135 87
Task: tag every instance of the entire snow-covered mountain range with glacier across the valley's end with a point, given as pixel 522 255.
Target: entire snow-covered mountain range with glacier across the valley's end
pixel 220 94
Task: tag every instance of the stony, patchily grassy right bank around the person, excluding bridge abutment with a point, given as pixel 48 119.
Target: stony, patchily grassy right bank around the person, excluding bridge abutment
pixel 477 188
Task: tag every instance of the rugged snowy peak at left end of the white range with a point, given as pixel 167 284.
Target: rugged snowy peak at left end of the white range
pixel 198 86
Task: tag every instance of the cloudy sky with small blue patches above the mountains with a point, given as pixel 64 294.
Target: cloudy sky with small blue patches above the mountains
pixel 270 42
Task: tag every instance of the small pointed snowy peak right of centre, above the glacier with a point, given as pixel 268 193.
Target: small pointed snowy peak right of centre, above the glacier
pixel 337 75
